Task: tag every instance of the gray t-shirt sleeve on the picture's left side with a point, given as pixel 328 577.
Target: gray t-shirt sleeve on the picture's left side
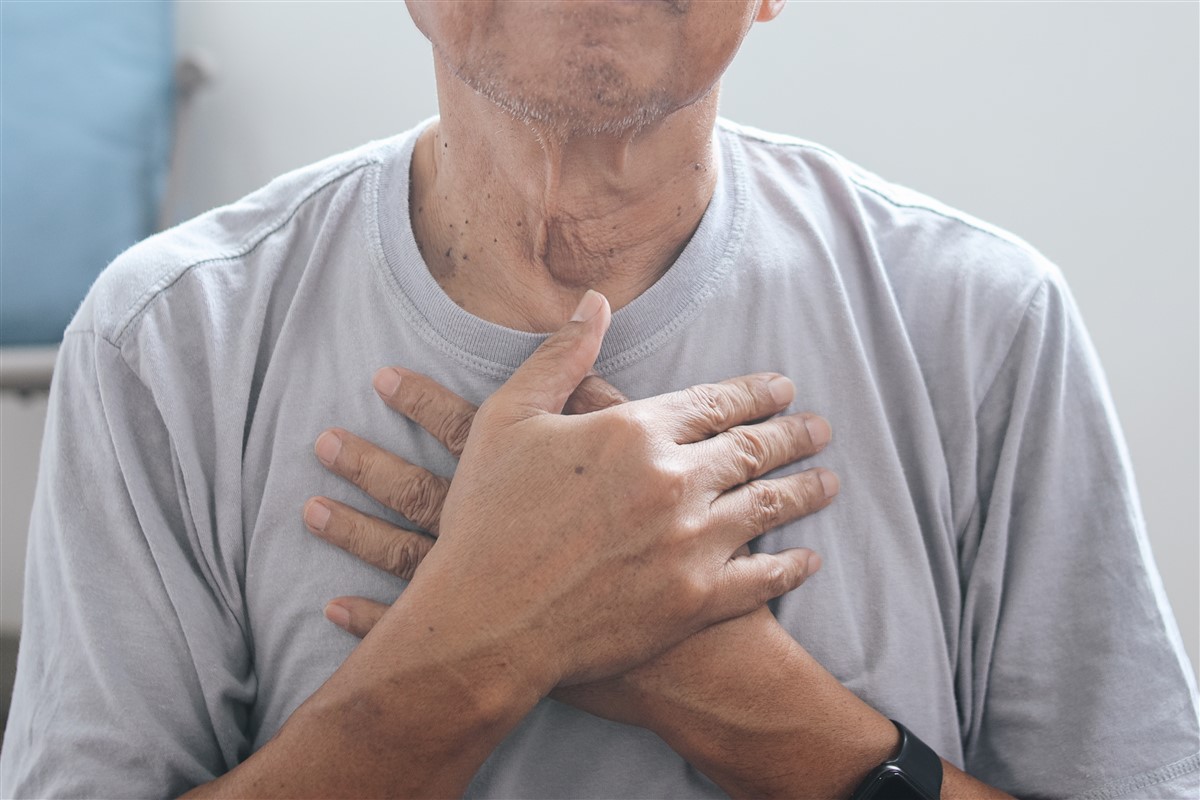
pixel 134 673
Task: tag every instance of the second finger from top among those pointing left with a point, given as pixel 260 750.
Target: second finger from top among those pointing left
pixel 416 494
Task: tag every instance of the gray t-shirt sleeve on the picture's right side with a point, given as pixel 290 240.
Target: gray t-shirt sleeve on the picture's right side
pixel 1072 676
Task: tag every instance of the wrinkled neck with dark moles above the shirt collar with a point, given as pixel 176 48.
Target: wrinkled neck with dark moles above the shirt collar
pixel 523 257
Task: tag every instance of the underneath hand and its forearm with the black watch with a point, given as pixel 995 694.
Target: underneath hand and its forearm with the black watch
pixel 715 697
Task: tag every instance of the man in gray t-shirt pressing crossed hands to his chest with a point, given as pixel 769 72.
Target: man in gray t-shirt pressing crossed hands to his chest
pixel 983 574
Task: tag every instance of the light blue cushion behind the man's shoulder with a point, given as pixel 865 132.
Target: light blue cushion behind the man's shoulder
pixel 87 123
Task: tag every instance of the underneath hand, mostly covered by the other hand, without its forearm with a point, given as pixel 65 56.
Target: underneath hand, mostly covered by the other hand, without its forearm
pixel 683 676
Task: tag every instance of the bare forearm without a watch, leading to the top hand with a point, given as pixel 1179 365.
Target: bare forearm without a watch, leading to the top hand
pixel 412 713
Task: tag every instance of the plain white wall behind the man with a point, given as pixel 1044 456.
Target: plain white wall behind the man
pixel 1075 125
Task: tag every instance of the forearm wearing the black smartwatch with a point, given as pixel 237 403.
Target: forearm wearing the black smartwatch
pixel 783 729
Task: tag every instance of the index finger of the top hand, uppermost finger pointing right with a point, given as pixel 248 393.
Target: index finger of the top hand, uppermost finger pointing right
pixel 698 413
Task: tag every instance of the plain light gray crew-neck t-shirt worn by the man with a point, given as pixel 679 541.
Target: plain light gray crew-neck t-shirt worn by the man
pixel 987 578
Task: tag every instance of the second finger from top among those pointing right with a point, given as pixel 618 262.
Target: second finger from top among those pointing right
pixel 748 452
